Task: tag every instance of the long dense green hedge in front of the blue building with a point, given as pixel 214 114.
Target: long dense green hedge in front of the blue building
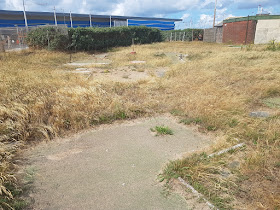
pixel 91 38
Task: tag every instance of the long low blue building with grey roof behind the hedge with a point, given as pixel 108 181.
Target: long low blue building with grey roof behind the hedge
pixel 16 19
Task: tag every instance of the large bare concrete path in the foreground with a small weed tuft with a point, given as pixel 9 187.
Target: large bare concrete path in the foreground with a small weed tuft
pixel 112 167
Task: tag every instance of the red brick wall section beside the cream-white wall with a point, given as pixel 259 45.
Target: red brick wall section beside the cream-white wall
pixel 235 32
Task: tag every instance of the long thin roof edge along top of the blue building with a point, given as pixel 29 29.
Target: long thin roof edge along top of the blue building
pixel 86 15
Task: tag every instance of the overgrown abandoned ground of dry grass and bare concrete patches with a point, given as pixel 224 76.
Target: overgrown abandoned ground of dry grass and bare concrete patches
pixel 176 125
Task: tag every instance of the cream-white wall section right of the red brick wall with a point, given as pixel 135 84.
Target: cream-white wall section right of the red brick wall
pixel 267 30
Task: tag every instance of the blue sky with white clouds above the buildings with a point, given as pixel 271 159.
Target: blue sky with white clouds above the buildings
pixel 195 13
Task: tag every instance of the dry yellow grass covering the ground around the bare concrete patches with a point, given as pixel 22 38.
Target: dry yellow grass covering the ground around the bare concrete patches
pixel 217 84
